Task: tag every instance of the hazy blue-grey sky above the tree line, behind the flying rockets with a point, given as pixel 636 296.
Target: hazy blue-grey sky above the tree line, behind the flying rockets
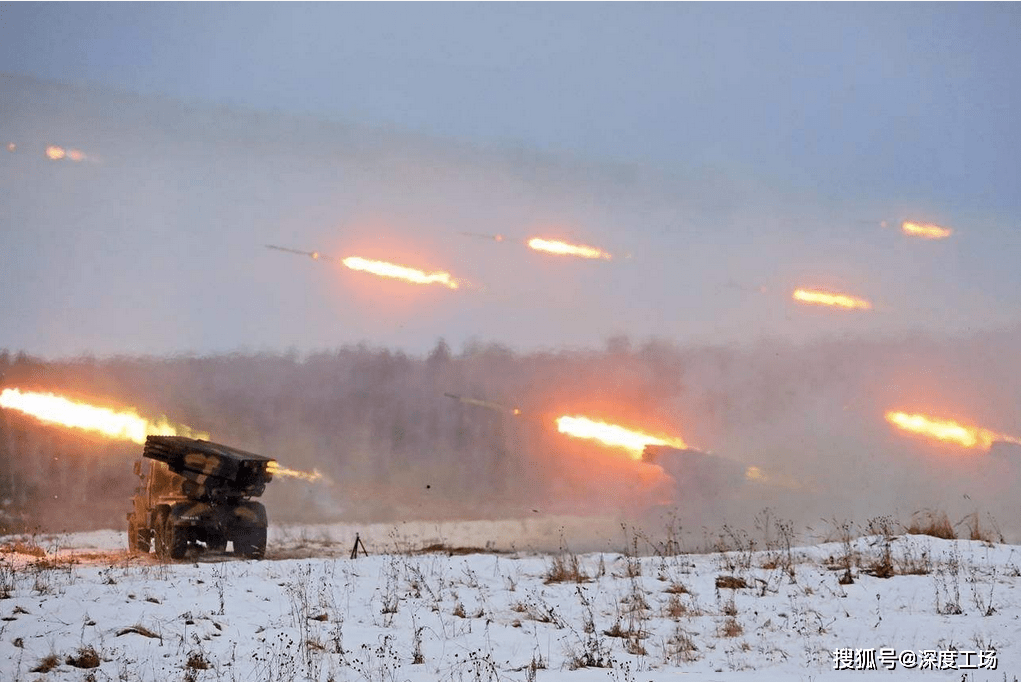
pixel 726 148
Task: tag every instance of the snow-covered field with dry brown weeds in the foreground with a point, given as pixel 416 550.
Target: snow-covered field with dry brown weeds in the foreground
pixel 79 608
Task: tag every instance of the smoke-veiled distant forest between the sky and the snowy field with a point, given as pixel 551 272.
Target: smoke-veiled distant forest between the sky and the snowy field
pixel 377 424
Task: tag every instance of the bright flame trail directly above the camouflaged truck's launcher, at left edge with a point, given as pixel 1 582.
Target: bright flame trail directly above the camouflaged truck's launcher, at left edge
pixel 124 425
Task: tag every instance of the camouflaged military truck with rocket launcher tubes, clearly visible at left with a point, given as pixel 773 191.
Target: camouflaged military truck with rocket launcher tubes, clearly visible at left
pixel 198 496
